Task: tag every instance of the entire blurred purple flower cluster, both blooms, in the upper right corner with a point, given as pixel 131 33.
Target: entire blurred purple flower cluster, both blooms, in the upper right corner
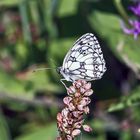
pixel 135 24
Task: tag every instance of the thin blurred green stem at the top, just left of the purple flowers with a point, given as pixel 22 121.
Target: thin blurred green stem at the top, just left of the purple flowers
pixel 121 10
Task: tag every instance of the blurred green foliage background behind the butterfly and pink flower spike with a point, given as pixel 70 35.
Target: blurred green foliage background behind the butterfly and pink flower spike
pixel 38 33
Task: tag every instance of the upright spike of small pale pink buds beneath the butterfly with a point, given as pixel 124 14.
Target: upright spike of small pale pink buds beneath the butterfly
pixel 71 118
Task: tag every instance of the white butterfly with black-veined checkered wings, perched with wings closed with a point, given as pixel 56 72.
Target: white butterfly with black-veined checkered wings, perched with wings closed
pixel 84 60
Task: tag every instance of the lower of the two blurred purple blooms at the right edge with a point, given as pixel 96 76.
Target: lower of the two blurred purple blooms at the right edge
pixel 135 29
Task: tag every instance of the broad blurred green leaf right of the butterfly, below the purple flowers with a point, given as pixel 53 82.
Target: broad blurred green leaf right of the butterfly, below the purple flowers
pixel 108 26
